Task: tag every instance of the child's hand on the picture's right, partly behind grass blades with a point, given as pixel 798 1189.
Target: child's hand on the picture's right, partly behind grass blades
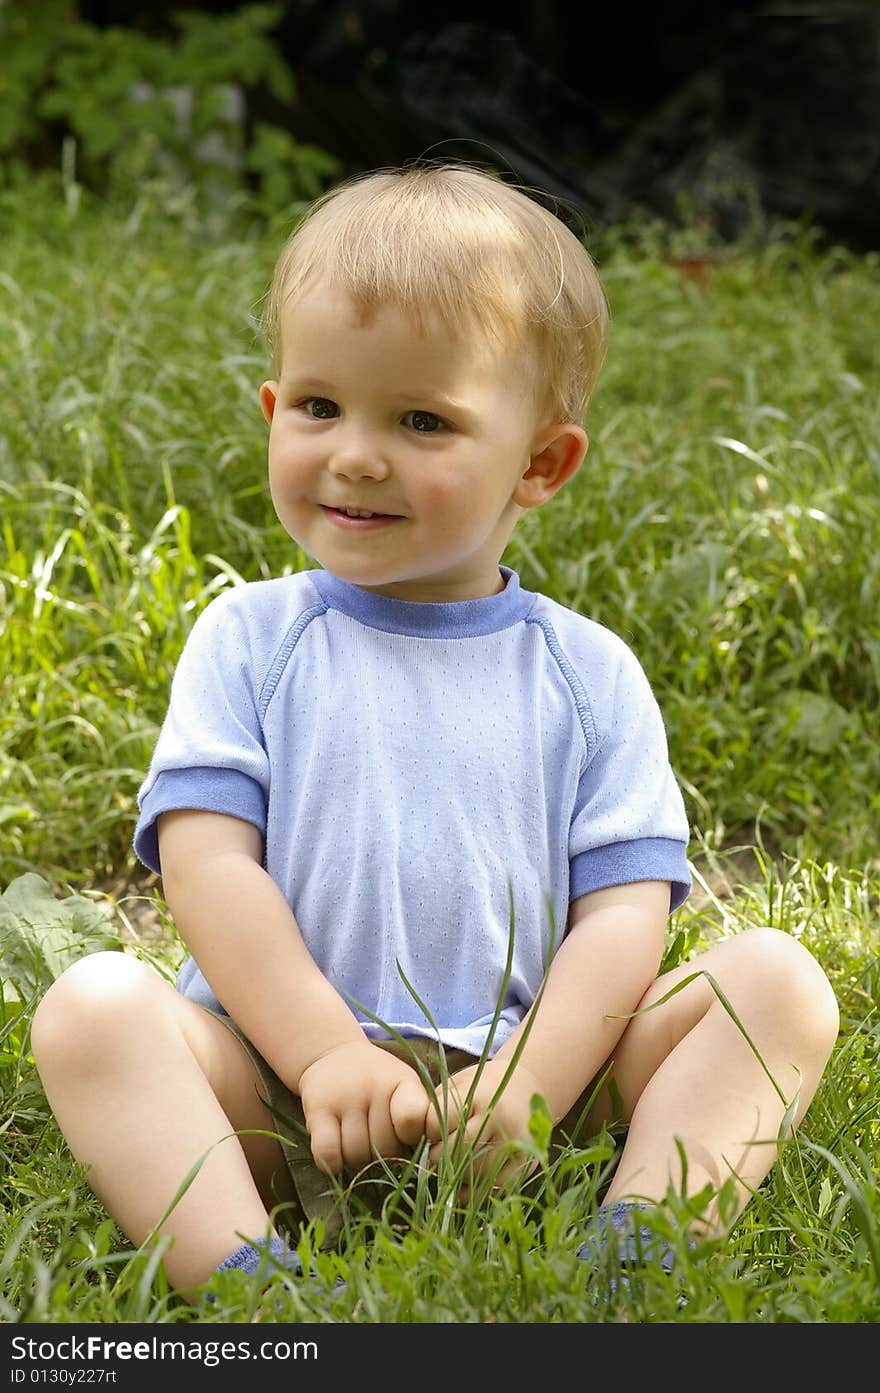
pixel 509 1121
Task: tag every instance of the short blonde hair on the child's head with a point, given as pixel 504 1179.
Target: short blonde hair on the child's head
pixel 469 247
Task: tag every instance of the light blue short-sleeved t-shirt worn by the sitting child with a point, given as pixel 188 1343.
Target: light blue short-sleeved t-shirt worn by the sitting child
pixel 417 771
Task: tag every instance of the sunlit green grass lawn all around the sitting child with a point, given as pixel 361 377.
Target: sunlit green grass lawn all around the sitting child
pixel 726 523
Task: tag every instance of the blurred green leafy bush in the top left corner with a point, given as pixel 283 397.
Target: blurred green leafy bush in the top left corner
pixel 122 108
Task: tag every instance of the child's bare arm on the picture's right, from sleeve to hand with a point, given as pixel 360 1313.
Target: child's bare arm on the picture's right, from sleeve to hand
pixel 606 963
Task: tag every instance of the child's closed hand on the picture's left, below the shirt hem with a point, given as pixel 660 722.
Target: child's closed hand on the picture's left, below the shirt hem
pixel 361 1103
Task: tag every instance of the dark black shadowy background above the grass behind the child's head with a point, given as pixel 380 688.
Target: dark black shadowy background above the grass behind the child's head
pixel 611 108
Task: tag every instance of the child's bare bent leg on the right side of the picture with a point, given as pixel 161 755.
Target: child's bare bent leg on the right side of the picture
pixel 687 1072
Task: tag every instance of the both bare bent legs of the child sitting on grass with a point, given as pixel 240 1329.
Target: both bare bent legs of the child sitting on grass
pixel 143 1084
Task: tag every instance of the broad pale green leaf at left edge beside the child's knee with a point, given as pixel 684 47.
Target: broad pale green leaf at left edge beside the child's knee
pixel 41 935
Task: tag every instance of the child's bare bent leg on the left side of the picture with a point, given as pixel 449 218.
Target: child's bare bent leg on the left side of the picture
pixel 143 1083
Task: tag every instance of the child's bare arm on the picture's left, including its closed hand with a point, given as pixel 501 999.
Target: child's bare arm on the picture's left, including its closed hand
pixel 359 1100
